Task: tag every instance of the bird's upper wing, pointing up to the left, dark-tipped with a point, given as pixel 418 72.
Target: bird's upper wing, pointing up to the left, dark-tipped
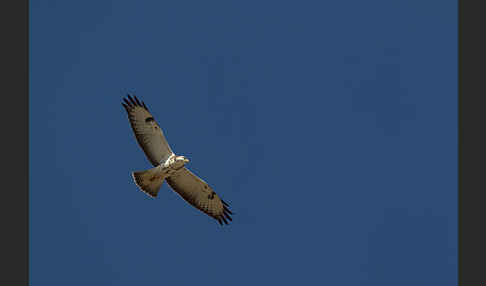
pixel 148 133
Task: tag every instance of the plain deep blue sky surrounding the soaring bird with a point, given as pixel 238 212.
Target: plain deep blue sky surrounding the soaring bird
pixel 330 127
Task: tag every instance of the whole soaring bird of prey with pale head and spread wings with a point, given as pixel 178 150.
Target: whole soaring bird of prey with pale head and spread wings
pixel 168 166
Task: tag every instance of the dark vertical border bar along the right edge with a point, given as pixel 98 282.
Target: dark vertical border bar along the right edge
pixel 472 144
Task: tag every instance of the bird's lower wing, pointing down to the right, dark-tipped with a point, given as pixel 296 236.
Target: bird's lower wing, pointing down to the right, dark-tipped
pixel 199 194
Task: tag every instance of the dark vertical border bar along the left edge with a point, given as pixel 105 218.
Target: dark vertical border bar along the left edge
pixel 14 118
